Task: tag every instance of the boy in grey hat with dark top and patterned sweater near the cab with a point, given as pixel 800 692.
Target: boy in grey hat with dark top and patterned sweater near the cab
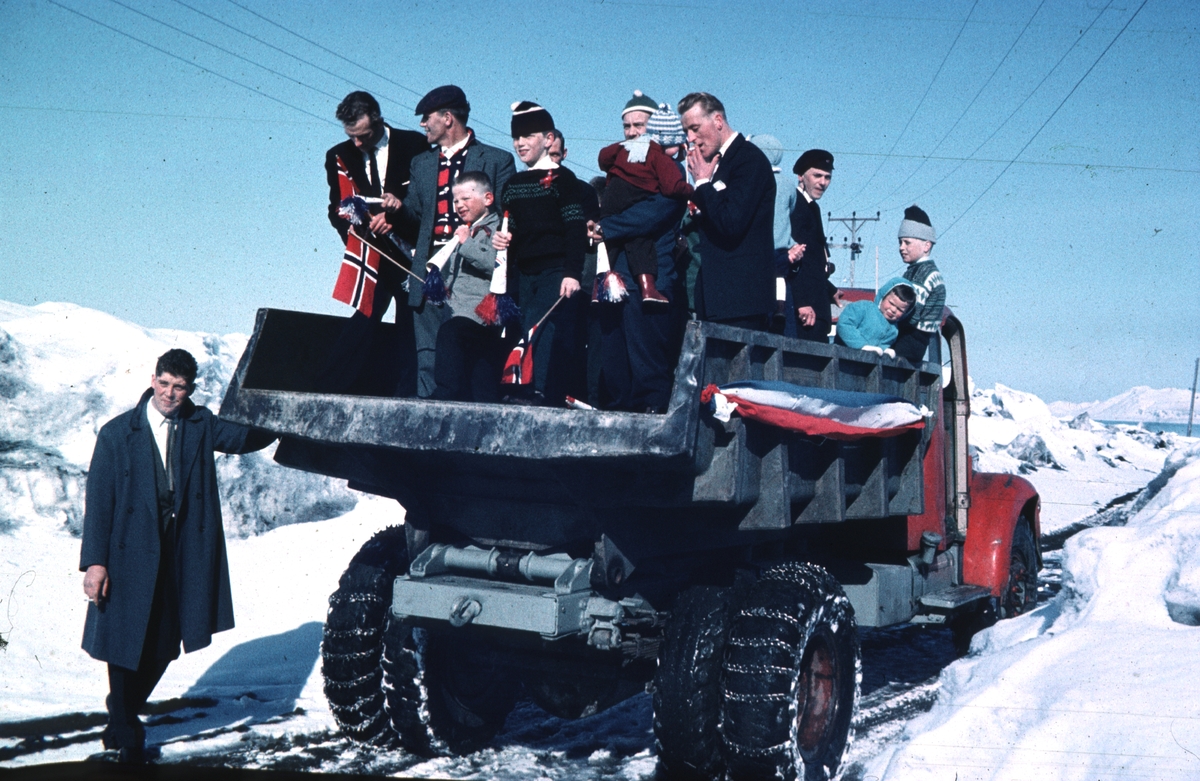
pixel 917 238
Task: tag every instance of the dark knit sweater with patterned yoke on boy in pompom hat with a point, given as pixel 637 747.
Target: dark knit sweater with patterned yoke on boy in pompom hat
pixel 547 218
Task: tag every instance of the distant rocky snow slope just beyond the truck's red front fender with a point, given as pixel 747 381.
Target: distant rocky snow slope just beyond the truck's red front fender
pixel 1081 465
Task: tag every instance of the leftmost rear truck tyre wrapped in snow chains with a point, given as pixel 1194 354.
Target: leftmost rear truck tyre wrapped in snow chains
pixel 352 647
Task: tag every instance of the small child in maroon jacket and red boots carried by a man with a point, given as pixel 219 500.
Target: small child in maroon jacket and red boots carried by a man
pixel 639 169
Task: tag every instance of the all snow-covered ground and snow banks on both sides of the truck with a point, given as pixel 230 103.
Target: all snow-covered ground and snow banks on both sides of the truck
pixel 1100 682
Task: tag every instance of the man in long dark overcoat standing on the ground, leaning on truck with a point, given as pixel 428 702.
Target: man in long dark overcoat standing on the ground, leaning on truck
pixel 154 550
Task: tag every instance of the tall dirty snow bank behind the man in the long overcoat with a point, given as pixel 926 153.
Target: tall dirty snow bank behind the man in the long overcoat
pixel 67 370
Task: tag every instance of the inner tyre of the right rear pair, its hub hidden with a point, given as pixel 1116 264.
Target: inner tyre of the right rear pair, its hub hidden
pixel 688 686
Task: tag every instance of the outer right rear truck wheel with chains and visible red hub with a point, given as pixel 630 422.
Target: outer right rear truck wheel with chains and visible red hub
pixel 793 672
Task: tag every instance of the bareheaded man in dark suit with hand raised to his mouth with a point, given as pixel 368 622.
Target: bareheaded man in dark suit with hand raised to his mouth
pixel 735 200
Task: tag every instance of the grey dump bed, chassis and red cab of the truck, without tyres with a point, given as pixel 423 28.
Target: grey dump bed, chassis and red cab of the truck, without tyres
pixel 563 539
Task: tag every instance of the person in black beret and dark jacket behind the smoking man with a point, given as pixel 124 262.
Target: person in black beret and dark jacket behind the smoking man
pixel 807 279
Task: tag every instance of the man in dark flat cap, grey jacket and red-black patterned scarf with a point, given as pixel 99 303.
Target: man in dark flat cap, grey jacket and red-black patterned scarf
pixel 430 208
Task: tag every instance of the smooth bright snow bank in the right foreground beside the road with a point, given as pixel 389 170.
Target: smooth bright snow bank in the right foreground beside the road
pixel 1100 683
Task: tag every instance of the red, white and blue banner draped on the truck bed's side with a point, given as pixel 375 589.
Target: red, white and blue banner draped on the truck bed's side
pixel 817 412
